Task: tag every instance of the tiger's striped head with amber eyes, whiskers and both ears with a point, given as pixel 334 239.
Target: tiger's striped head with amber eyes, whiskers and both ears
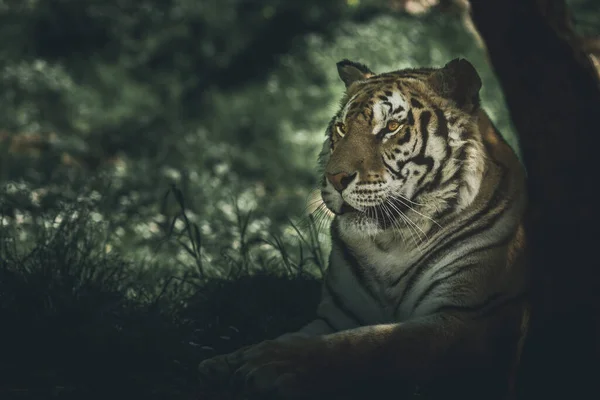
pixel 403 147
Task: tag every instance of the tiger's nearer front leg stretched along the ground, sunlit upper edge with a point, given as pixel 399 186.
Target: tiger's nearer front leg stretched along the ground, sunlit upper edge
pixel 412 352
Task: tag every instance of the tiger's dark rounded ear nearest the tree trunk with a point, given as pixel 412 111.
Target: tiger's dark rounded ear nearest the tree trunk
pixel 458 81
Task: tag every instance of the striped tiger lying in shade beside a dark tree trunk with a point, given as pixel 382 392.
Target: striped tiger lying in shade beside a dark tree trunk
pixel 427 280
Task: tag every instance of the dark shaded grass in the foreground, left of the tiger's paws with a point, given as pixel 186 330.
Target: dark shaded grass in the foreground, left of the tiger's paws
pixel 82 322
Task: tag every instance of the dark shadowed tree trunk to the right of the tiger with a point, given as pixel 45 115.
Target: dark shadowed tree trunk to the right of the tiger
pixel 553 95
